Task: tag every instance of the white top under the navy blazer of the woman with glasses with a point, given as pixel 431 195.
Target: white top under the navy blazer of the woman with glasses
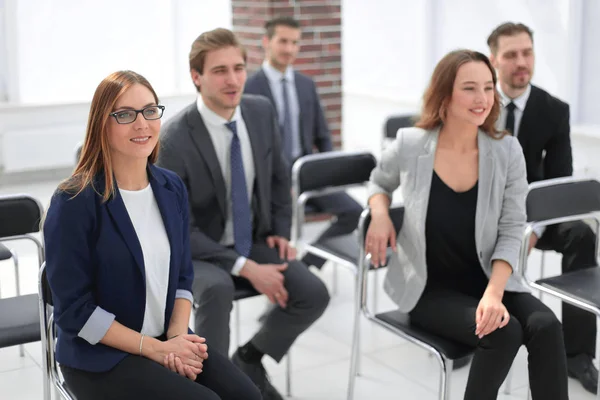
pixel 150 229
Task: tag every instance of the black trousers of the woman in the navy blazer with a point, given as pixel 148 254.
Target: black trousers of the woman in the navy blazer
pixel 140 378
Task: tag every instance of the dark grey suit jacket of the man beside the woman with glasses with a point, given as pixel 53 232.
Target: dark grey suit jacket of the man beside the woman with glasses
pixel 187 149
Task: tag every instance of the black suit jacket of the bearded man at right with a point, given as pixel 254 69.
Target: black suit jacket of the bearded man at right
pixel 544 134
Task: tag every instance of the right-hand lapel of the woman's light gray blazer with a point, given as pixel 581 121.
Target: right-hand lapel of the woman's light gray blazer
pixel 484 186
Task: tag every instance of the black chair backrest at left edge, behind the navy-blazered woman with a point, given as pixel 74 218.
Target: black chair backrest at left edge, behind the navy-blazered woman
pixel 19 215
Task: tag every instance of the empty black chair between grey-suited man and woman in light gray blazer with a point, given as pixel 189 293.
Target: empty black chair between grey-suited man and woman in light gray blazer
pixel 322 174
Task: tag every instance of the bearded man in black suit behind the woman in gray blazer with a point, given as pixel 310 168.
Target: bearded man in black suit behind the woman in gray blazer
pixel 541 123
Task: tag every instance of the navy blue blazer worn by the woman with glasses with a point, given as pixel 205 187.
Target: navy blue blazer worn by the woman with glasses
pixel 95 267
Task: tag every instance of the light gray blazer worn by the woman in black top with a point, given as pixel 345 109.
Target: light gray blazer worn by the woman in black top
pixel 500 217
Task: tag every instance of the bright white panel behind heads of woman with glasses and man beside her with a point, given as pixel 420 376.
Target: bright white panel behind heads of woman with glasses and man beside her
pixel 65 48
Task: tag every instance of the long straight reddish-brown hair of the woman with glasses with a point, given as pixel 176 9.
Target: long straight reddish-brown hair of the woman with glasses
pixel 95 154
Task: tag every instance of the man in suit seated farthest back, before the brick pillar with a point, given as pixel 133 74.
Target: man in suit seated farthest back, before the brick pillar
pixel 300 117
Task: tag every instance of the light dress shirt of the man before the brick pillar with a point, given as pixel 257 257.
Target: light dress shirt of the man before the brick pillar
pixel 274 76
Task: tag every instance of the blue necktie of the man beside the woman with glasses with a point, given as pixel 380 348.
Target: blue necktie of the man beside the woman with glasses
pixel 242 217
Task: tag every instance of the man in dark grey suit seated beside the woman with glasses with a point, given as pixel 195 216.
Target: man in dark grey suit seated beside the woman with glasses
pixel 226 148
